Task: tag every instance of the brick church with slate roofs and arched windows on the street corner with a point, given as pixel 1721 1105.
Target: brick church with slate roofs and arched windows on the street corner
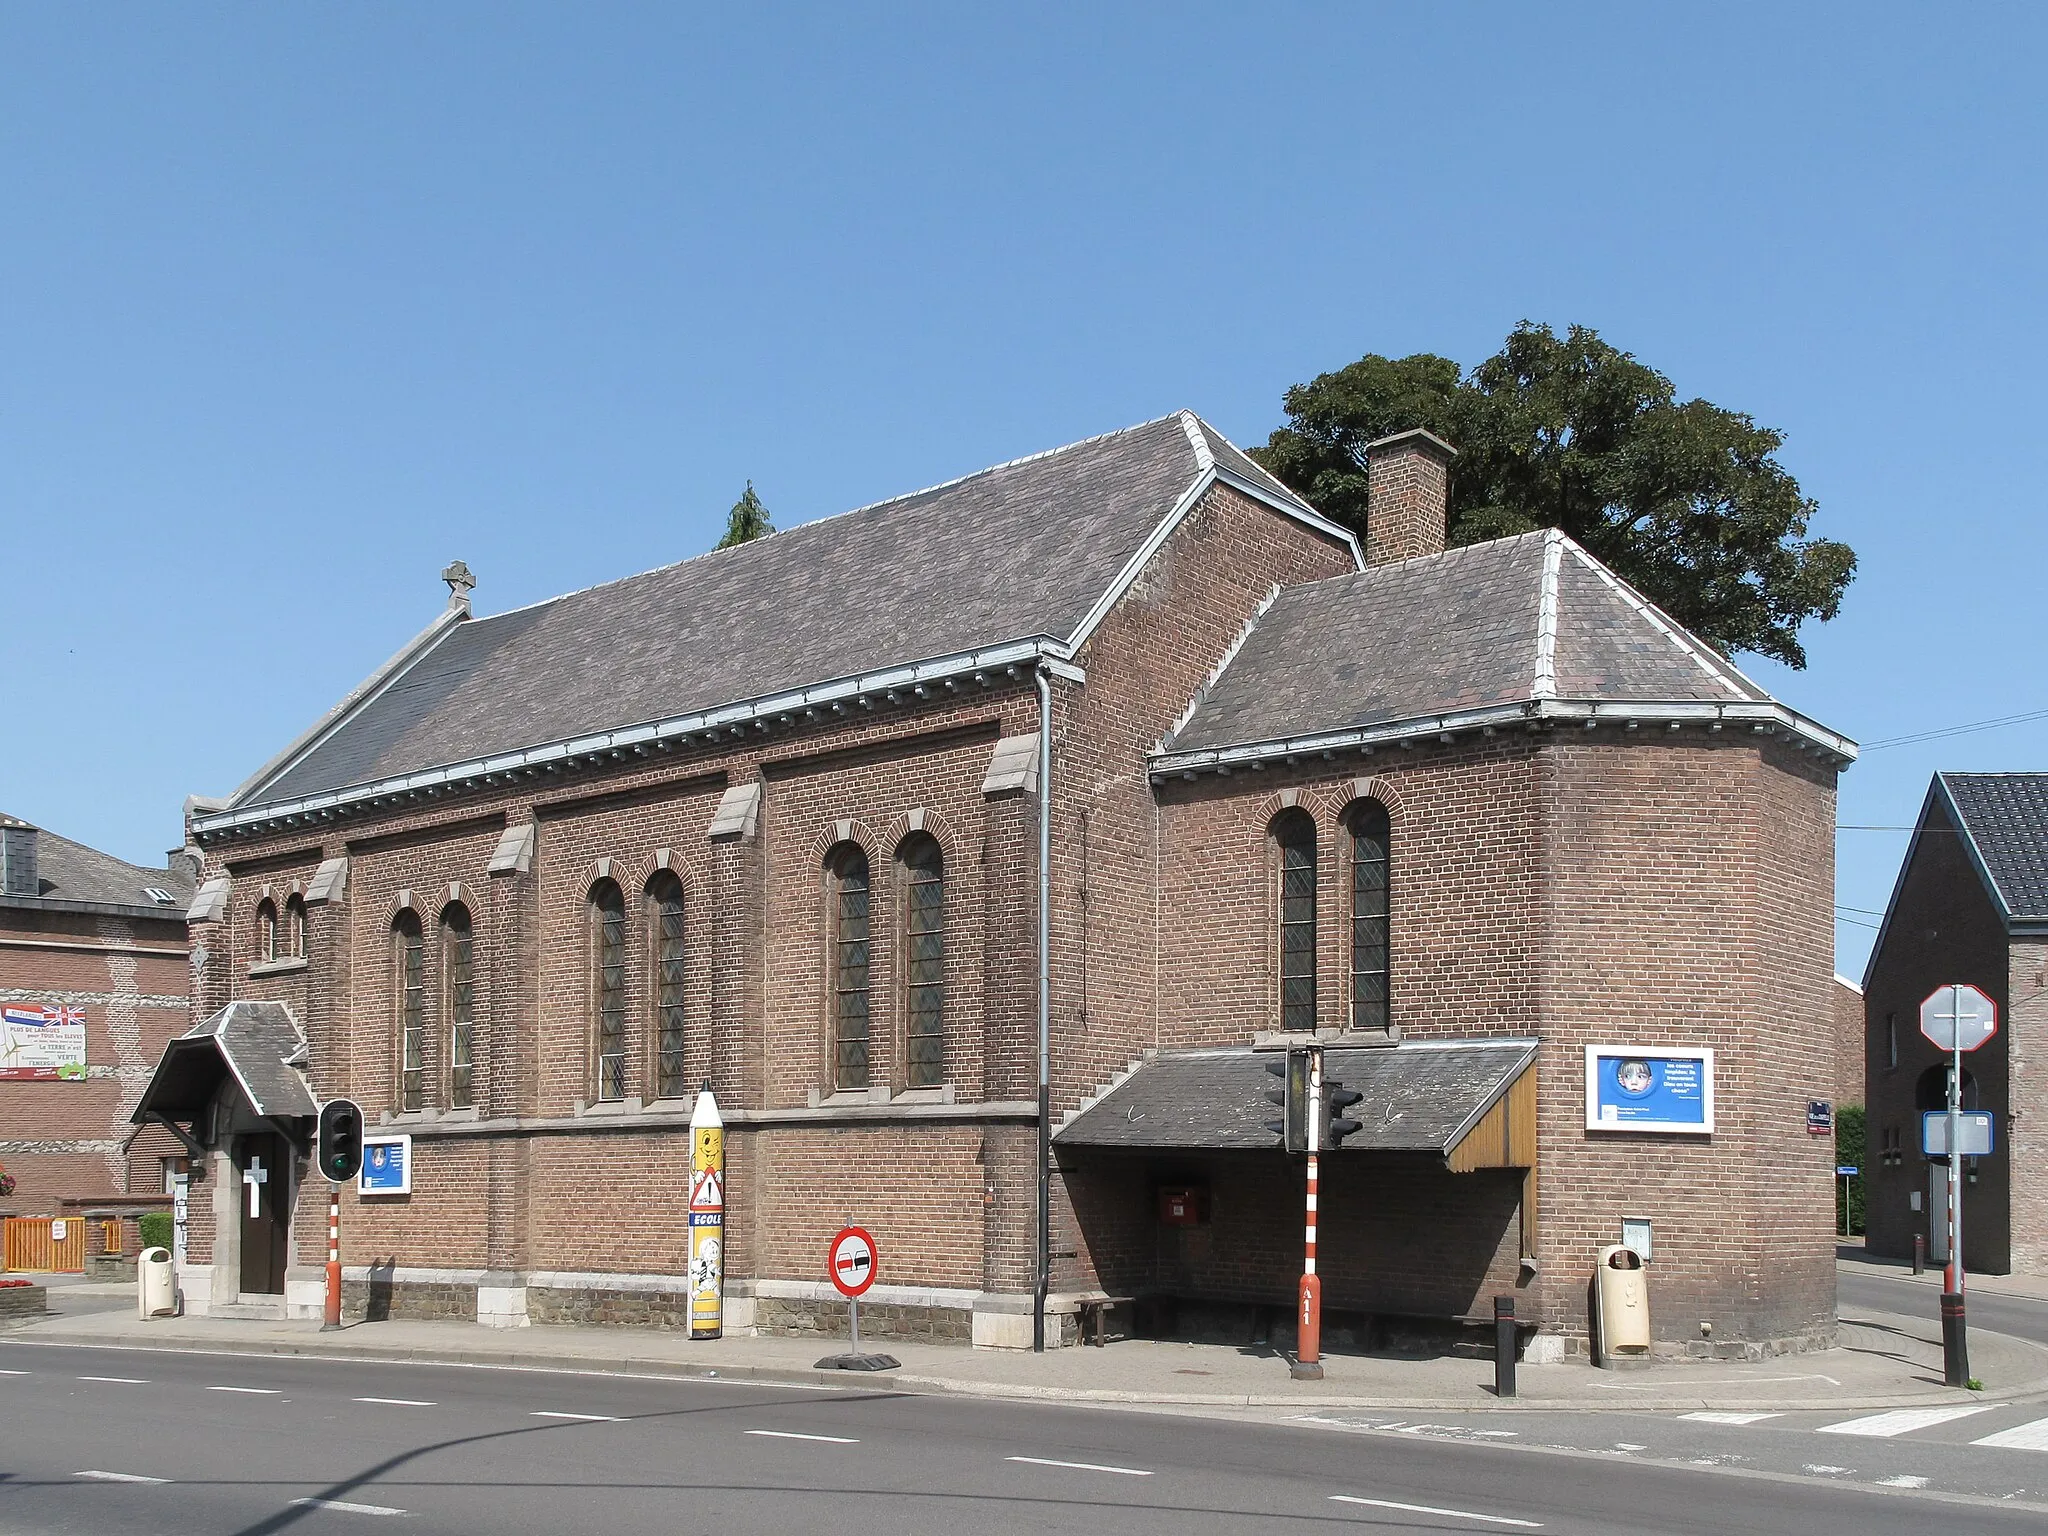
pixel 771 820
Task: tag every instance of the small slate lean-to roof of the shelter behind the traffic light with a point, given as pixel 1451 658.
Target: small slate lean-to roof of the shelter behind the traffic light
pixel 1420 1097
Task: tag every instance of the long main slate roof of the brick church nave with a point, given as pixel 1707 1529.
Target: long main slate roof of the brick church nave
pixel 1027 552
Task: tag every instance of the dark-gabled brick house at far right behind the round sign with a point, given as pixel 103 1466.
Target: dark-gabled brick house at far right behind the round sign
pixel 1971 904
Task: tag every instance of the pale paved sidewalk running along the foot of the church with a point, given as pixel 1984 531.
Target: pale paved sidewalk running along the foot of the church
pixel 1883 1363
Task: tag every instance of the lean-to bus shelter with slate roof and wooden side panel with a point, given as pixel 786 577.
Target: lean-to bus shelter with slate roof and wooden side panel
pixel 1183 1191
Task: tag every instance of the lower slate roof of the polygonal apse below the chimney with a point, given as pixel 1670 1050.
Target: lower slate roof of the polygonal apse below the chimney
pixel 1478 628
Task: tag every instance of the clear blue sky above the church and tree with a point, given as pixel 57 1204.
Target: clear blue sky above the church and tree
pixel 302 302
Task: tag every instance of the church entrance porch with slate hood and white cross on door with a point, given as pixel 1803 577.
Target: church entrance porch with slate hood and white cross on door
pixel 234 1093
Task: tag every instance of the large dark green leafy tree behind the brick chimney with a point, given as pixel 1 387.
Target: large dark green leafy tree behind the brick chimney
pixel 1682 499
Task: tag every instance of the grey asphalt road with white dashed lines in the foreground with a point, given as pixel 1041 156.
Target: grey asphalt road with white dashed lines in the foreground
pixel 136 1441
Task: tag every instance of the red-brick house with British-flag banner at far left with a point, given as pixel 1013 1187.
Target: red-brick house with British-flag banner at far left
pixel 95 982
